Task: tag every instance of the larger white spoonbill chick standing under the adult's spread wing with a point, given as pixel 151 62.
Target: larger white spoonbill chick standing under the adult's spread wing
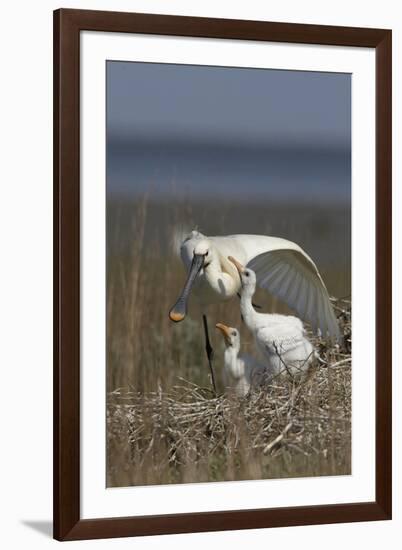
pixel 280 338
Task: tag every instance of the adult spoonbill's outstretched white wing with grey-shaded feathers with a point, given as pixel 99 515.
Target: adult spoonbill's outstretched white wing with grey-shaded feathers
pixel 286 271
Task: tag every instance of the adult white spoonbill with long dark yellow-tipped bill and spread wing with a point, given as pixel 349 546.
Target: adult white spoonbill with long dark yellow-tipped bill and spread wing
pixel 281 267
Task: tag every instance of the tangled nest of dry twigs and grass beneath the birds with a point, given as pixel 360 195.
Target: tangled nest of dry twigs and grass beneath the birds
pixel 288 427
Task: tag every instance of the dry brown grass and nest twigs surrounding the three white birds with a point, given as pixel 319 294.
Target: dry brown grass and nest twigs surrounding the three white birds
pixel 164 425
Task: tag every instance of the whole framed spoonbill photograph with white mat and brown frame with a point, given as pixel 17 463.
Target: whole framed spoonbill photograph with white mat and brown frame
pixel 222 274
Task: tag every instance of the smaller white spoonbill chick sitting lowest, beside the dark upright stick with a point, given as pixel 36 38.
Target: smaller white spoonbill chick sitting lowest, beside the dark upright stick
pixel 240 371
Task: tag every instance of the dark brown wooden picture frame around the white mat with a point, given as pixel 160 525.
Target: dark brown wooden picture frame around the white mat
pixel 67 26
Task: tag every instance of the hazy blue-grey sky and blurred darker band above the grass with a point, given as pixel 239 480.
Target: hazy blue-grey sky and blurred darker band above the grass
pixel 274 133
